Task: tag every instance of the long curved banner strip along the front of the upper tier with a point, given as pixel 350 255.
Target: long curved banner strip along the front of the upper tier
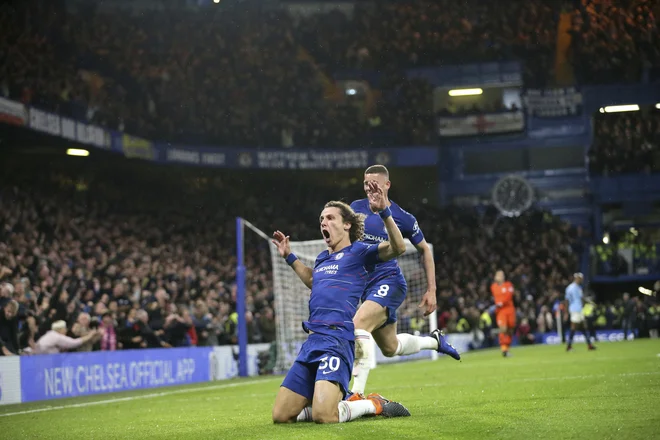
pixel 220 157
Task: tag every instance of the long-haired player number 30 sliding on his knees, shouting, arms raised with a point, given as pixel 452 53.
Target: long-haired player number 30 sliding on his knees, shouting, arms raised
pixel 322 371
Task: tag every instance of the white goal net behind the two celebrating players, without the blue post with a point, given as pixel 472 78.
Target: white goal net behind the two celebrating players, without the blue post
pixel 292 302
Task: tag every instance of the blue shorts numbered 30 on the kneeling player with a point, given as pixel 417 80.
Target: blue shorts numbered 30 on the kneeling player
pixel 321 357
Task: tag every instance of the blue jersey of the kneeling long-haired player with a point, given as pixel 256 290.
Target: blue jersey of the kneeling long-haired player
pixel 338 281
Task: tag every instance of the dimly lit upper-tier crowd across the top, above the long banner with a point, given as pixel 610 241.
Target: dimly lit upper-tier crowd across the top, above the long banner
pixel 239 76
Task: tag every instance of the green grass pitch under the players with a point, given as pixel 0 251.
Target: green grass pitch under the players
pixel 541 392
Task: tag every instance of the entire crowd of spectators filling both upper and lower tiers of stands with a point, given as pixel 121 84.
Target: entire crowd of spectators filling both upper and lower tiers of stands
pixel 71 247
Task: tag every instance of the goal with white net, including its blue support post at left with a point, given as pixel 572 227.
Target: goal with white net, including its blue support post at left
pixel 291 299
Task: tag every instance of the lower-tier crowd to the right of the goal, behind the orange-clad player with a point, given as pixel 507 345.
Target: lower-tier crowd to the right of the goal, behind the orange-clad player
pixel 469 247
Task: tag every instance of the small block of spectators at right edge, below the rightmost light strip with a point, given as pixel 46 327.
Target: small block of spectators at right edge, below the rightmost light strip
pixel 626 143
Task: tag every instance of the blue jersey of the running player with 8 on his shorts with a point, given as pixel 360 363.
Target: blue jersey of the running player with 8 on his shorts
pixel 375 232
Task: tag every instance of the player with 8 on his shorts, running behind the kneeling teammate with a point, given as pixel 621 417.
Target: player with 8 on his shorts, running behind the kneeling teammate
pixel 386 289
